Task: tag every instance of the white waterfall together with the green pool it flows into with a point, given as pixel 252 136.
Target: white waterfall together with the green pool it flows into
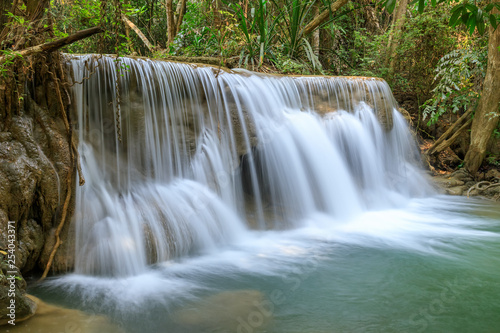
pixel 234 202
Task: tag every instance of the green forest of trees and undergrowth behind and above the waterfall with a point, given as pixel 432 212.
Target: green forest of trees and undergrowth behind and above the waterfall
pixel 434 54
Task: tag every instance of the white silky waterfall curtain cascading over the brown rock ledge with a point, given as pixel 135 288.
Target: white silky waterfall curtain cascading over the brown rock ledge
pixel 182 159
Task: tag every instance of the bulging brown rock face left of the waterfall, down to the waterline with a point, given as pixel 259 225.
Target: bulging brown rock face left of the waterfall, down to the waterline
pixel 34 164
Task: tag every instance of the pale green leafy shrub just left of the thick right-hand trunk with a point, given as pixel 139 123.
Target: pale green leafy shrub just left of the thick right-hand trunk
pixel 459 74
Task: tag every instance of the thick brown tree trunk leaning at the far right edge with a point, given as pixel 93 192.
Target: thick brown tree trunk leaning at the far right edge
pixel 487 114
